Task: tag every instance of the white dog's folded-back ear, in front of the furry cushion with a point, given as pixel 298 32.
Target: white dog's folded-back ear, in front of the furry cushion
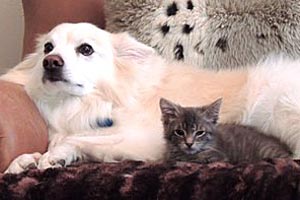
pixel 126 46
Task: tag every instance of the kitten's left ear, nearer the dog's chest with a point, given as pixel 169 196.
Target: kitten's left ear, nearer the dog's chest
pixel 168 109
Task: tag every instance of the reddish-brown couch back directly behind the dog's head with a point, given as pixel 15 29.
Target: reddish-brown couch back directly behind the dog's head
pixel 41 16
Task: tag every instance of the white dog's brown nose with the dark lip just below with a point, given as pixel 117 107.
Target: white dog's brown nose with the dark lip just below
pixel 53 68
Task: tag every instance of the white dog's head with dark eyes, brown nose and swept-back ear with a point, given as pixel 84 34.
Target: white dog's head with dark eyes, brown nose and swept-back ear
pixel 74 58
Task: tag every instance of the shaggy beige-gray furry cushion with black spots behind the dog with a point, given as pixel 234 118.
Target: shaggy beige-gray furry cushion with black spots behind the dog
pixel 210 33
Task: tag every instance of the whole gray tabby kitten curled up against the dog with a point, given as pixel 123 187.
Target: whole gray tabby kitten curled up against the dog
pixel 192 134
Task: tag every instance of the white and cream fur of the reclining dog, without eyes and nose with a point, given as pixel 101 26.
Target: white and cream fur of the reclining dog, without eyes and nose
pixel 125 79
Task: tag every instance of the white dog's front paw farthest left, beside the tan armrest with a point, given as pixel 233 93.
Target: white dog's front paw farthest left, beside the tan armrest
pixel 23 163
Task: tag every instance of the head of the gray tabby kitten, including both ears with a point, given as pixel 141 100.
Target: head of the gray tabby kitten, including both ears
pixel 191 129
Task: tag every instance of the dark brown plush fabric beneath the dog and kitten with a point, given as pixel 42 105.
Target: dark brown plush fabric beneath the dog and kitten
pixel 272 179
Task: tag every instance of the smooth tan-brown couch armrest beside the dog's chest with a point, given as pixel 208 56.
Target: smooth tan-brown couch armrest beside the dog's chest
pixel 22 128
